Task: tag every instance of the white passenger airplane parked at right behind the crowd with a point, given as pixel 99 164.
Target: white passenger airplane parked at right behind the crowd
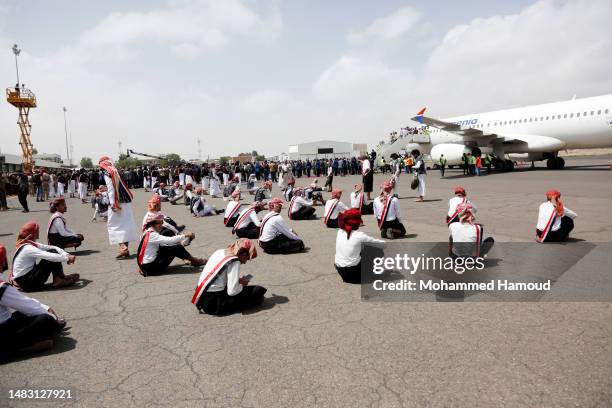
pixel 531 133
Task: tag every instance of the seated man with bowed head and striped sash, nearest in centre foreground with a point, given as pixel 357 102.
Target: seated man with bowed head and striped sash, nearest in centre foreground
pixel 221 290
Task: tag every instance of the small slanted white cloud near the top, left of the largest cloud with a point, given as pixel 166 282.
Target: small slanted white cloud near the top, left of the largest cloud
pixel 390 27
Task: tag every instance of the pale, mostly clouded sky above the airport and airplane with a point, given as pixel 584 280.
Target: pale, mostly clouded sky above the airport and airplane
pixel 158 75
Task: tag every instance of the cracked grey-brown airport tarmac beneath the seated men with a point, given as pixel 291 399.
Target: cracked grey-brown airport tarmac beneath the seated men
pixel 137 341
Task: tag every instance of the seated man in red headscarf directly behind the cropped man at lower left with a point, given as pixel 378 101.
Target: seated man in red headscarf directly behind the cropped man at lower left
pixel 34 262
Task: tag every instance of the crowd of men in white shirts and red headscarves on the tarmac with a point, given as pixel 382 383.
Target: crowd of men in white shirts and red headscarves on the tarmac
pixel 221 287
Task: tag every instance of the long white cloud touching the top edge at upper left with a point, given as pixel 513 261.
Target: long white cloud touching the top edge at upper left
pixel 192 25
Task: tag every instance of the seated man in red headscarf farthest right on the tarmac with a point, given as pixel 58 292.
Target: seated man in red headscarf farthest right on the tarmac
pixel 555 221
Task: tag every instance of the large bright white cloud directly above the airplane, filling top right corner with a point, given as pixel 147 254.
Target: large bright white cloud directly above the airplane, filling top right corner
pixel 550 50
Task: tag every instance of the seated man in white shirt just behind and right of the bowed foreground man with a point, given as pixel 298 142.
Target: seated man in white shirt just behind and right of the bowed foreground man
pixel 275 237
